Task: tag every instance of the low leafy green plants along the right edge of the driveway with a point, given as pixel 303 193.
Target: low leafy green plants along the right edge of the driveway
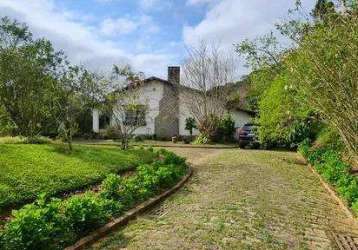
pixel 328 162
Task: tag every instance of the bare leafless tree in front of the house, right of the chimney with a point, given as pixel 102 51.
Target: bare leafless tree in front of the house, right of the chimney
pixel 207 69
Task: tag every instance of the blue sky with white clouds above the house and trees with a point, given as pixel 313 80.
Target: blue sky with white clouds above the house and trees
pixel 150 35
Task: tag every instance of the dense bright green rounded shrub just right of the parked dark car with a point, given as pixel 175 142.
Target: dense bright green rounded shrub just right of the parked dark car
pixel 285 119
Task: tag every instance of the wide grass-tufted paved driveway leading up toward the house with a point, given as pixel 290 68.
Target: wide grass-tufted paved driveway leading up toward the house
pixel 241 199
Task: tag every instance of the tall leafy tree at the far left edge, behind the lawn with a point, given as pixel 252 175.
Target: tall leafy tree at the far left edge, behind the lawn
pixel 28 77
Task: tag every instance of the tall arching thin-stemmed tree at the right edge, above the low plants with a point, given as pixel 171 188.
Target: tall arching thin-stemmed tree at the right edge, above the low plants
pixel 325 68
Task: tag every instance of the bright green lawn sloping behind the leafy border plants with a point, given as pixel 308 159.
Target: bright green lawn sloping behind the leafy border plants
pixel 28 170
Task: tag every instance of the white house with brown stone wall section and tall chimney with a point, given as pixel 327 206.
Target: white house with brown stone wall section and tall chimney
pixel 168 107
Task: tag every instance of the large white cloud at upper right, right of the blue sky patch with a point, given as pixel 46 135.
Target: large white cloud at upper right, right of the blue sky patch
pixel 230 21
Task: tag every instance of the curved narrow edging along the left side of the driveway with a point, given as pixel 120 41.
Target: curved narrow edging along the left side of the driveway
pixel 129 215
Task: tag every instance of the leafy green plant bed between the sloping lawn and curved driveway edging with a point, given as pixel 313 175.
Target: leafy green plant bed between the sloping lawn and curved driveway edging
pixel 54 223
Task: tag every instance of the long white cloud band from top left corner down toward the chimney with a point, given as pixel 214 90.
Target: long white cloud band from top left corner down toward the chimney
pixel 82 43
